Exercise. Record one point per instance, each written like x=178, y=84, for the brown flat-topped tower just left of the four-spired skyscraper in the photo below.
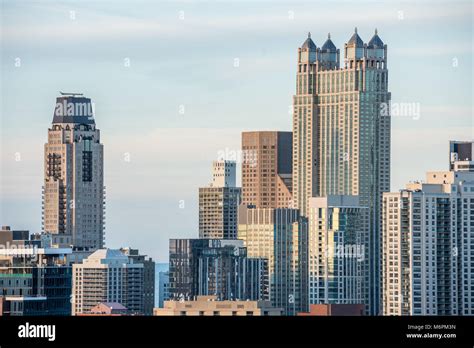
x=266, y=169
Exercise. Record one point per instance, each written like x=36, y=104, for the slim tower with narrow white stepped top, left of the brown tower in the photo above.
x=218, y=203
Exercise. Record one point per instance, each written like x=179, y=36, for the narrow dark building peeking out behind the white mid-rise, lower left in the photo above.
x=148, y=278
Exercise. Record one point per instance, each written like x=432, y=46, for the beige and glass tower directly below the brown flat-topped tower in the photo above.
x=280, y=236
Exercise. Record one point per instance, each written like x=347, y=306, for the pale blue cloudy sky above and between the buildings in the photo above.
x=174, y=84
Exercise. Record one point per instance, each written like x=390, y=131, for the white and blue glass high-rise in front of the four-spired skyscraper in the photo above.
x=338, y=247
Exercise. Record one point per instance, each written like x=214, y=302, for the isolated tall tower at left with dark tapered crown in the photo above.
x=73, y=191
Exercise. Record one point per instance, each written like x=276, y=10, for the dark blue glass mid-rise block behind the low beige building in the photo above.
x=215, y=267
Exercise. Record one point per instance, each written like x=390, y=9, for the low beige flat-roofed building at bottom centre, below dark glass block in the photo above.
x=210, y=306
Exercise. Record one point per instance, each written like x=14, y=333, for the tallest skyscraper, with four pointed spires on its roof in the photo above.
x=341, y=140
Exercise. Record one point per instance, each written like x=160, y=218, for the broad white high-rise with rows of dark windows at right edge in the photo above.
x=428, y=246
